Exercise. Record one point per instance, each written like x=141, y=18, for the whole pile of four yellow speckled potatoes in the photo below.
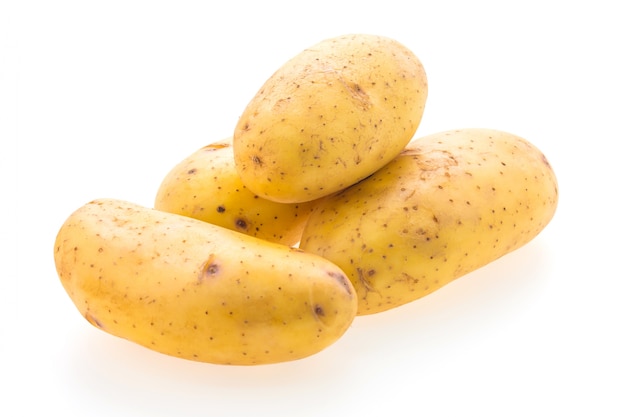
x=321, y=206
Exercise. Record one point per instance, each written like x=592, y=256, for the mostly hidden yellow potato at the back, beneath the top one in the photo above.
x=207, y=187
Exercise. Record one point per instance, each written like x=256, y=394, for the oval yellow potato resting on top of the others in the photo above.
x=329, y=117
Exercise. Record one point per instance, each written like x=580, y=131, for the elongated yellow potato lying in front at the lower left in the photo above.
x=197, y=291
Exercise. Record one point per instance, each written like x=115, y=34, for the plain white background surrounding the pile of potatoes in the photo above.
x=101, y=98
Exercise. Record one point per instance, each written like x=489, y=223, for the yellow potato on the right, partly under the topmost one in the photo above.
x=451, y=203
